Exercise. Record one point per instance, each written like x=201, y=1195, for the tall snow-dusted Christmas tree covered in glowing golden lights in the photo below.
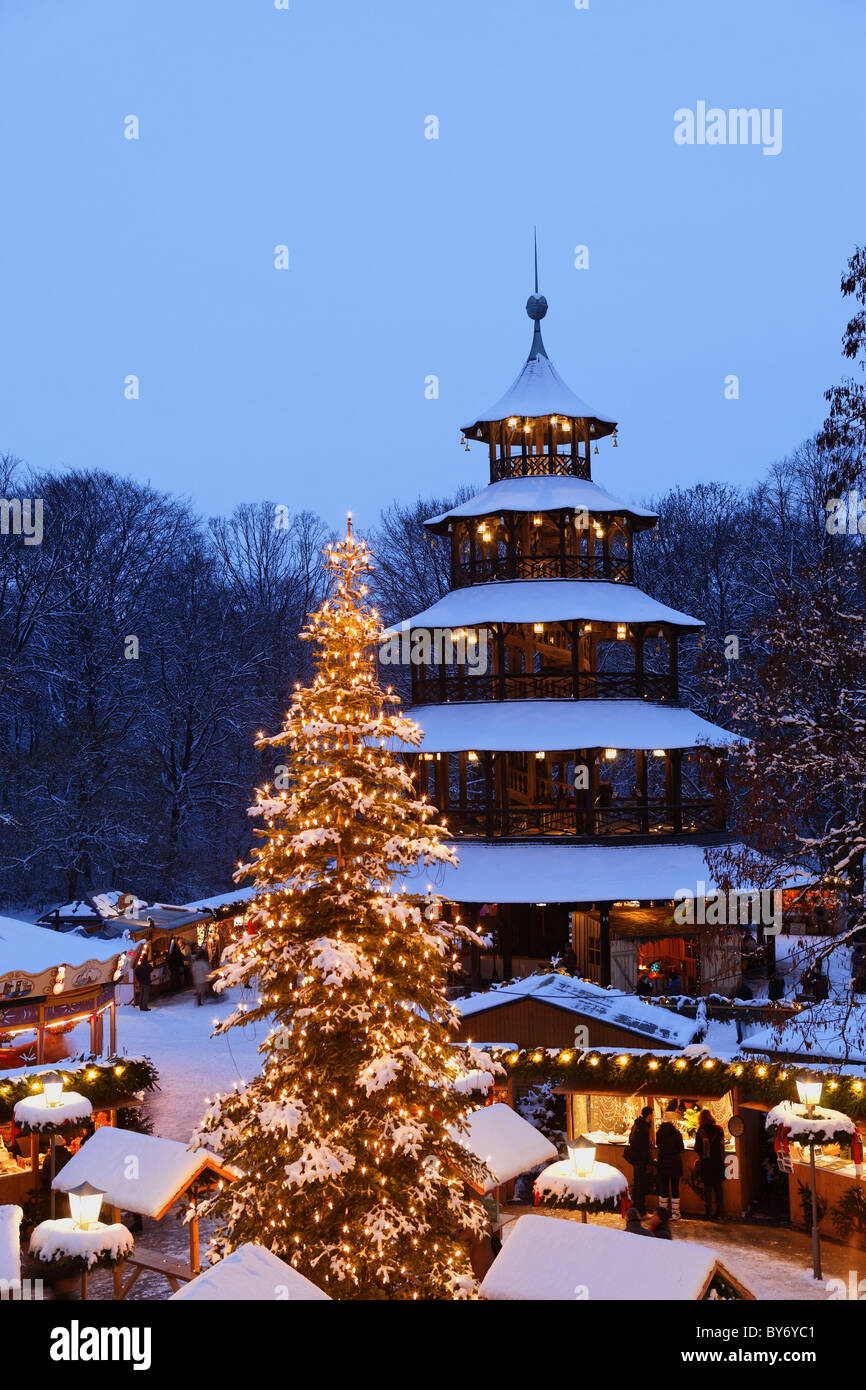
x=350, y=1139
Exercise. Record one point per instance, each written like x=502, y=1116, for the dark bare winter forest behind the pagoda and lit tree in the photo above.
x=142, y=648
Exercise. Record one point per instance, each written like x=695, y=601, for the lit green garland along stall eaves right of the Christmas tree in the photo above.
x=678, y=1075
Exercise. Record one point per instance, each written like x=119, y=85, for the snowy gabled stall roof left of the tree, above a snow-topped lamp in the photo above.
x=163, y=1170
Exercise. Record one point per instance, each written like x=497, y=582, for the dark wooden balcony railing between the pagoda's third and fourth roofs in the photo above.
x=451, y=687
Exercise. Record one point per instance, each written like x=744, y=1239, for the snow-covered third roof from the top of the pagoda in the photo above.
x=548, y=601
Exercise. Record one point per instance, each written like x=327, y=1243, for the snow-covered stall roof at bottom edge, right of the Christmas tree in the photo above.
x=550, y=1259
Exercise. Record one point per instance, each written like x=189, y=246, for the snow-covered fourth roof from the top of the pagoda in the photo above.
x=533, y=725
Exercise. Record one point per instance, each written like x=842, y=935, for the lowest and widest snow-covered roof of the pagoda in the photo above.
x=565, y=874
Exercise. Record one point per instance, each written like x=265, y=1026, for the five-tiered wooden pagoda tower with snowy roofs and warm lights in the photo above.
x=555, y=742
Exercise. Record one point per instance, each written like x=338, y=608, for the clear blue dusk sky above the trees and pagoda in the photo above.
x=412, y=256
